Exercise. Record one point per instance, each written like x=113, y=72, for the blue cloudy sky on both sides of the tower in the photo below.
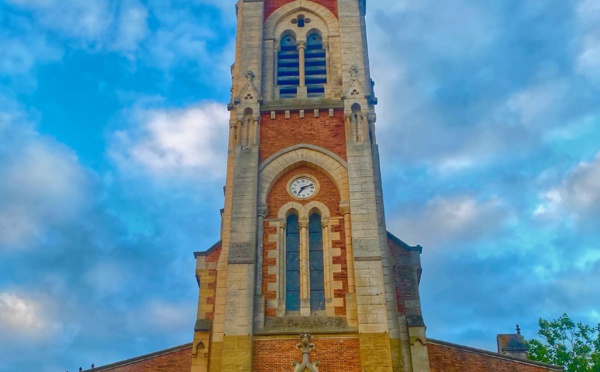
x=112, y=160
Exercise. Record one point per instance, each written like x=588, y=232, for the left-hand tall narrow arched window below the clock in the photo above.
x=292, y=264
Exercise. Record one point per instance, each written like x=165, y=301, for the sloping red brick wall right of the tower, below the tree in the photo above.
x=448, y=359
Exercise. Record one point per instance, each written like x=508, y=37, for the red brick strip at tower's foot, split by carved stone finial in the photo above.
x=335, y=355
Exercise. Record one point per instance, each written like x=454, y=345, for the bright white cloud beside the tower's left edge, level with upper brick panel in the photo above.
x=183, y=142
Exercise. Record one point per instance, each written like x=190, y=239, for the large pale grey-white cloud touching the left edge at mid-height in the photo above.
x=42, y=184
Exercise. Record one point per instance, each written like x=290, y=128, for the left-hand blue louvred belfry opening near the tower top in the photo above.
x=288, y=67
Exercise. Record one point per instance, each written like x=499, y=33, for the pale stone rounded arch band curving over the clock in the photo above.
x=330, y=164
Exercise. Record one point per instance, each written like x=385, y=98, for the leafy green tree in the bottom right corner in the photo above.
x=562, y=342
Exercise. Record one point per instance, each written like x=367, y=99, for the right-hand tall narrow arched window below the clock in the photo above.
x=317, y=286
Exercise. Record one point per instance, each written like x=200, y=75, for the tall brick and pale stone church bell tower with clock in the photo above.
x=305, y=276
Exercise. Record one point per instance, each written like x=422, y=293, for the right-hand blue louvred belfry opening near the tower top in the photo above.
x=315, y=66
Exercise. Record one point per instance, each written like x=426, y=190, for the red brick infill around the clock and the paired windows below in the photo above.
x=328, y=195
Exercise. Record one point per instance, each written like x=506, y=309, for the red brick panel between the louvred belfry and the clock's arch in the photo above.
x=324, y=131
